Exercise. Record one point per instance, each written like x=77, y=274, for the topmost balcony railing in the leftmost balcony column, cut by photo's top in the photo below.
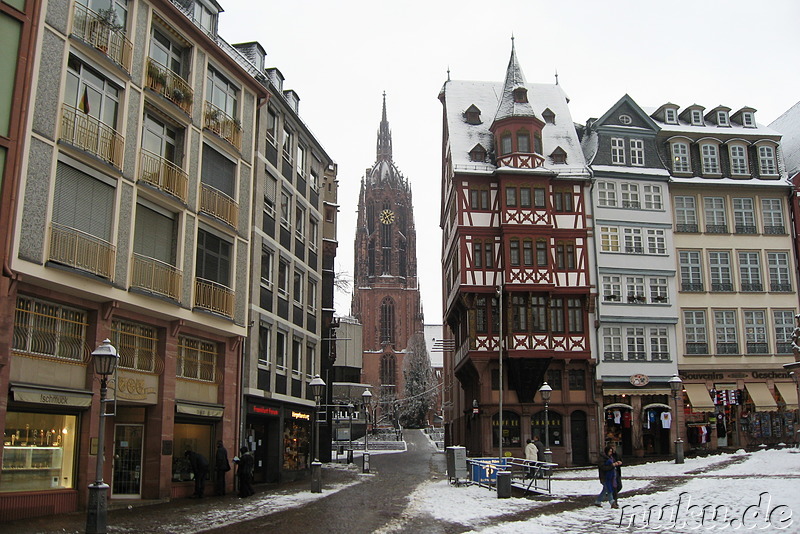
x=103, y=34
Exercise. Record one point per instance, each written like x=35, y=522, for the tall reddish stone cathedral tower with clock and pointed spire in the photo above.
x=386, y=298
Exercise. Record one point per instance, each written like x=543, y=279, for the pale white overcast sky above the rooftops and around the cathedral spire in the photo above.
x=340, y=56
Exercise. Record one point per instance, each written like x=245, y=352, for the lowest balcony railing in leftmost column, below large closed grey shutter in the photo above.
x=80, y=250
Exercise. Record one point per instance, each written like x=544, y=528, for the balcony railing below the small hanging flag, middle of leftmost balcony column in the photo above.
x=91, y=135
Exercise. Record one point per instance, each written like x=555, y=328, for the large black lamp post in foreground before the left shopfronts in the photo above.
x=105, y=360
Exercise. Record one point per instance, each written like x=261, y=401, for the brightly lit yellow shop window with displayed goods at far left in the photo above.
x=38, y=451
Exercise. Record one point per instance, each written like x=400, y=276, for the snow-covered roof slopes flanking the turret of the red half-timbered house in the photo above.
x=459, y=95
